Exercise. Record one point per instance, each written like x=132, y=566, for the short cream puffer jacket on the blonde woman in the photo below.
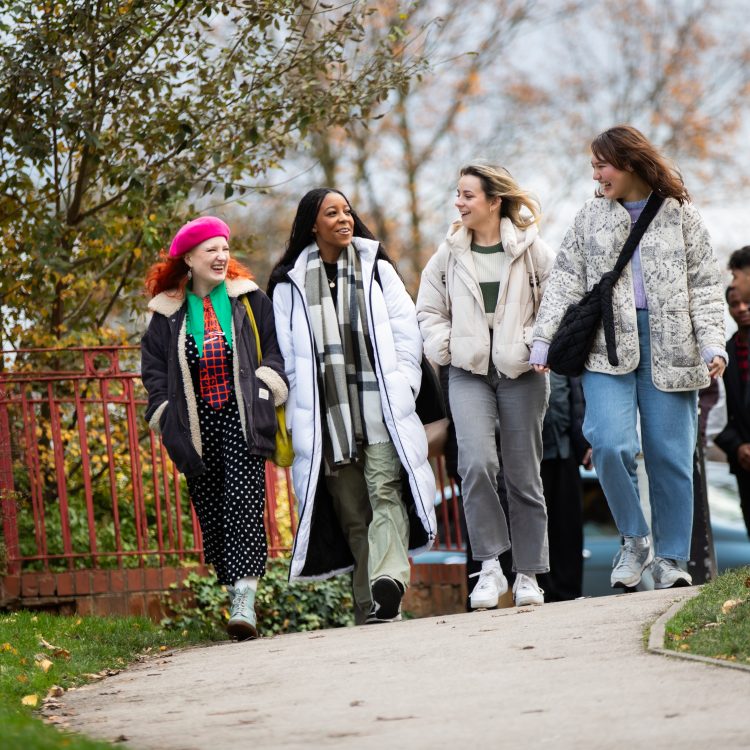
x=450, y=307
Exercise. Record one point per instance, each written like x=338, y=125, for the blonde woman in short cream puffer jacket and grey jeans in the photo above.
x=476, y=308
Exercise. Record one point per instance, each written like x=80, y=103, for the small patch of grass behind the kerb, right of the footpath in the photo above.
x=715, y=623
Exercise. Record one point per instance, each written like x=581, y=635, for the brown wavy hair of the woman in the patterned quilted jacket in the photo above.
x=627, y=149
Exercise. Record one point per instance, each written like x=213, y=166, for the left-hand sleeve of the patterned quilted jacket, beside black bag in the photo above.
x=566, y=283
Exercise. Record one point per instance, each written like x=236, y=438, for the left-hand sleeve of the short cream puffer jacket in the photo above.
x=432, y=310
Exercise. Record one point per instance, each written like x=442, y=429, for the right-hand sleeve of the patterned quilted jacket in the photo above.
x=705, y=293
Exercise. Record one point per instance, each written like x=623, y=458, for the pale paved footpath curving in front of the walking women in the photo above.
x=568, y=675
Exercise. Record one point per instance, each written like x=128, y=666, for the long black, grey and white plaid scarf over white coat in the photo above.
x=354, y=415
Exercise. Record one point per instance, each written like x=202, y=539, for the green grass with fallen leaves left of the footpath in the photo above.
x=83, y=646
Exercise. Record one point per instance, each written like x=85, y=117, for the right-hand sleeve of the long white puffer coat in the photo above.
x=403, y=319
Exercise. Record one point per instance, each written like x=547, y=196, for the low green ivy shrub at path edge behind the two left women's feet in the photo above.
x=281, y=607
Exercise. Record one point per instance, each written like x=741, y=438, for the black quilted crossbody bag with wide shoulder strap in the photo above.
x=570, y=346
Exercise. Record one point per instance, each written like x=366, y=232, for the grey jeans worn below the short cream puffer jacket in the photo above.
x=519, y=404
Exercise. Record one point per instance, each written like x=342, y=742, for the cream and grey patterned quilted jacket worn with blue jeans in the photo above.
x=682, y=282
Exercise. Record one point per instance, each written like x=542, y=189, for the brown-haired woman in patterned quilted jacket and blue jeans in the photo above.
x=669, y=332
